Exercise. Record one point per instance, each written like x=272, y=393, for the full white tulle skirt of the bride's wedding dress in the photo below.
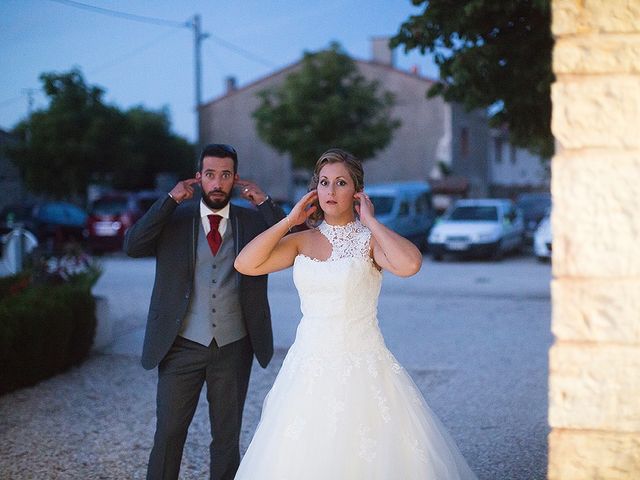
x=338, y=414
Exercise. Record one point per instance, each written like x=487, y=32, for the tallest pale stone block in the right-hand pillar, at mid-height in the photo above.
x=595, y=219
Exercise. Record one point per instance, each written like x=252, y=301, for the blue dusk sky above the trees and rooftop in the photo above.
x=140, y=63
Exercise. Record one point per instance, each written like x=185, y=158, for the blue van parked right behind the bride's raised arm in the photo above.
x=404, y=207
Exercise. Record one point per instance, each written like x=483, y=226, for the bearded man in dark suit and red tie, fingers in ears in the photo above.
x=206, y=320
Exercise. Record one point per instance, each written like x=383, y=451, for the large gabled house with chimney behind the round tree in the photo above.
x=433, y=132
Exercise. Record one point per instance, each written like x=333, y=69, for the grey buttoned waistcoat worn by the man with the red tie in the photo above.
x=214, y=309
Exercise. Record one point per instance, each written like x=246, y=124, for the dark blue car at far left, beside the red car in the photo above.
x=53, y=223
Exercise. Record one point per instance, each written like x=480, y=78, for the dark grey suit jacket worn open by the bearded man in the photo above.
x=169, y=233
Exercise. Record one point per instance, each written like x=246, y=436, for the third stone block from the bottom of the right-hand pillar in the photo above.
x=596, y=310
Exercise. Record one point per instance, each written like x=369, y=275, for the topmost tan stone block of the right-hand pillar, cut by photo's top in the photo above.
x=586, y=16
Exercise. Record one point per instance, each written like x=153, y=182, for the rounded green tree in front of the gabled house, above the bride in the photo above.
x=326, y=103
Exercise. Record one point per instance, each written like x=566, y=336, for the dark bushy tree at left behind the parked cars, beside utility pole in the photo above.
x=78, y=138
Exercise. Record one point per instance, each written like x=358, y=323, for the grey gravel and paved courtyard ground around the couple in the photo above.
x=473, y=335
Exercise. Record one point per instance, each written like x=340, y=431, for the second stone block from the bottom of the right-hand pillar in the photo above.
x=594, y=386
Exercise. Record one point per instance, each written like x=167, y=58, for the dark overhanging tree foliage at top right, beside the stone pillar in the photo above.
x=494, y=55
